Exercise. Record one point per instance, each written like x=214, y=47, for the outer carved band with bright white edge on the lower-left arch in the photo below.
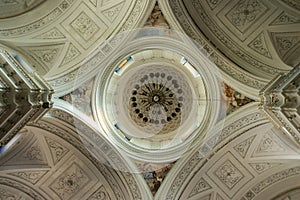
x=134, y=183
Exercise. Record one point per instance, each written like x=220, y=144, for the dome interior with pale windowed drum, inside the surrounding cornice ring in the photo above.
x=153, y=100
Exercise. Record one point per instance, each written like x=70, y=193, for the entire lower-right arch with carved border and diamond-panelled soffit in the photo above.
x=246, y=136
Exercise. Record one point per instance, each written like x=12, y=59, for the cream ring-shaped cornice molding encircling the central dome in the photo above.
x=164, y=40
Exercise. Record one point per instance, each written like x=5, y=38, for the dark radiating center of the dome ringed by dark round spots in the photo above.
x=156, y=99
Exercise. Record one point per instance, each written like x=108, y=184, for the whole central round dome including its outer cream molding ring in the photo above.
x=156, y=94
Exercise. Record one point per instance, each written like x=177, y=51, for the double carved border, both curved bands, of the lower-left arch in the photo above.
x=54, y=123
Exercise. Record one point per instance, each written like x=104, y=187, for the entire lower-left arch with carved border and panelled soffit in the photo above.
x=69, y=143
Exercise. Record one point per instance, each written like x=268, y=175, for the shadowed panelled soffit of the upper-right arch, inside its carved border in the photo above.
x=241, y=31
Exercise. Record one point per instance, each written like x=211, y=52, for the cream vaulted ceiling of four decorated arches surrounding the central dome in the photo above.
x=66, y=155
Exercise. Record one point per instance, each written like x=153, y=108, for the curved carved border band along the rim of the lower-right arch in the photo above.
x=246, y=118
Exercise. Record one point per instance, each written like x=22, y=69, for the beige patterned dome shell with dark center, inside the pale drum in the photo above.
x=157, y=100
